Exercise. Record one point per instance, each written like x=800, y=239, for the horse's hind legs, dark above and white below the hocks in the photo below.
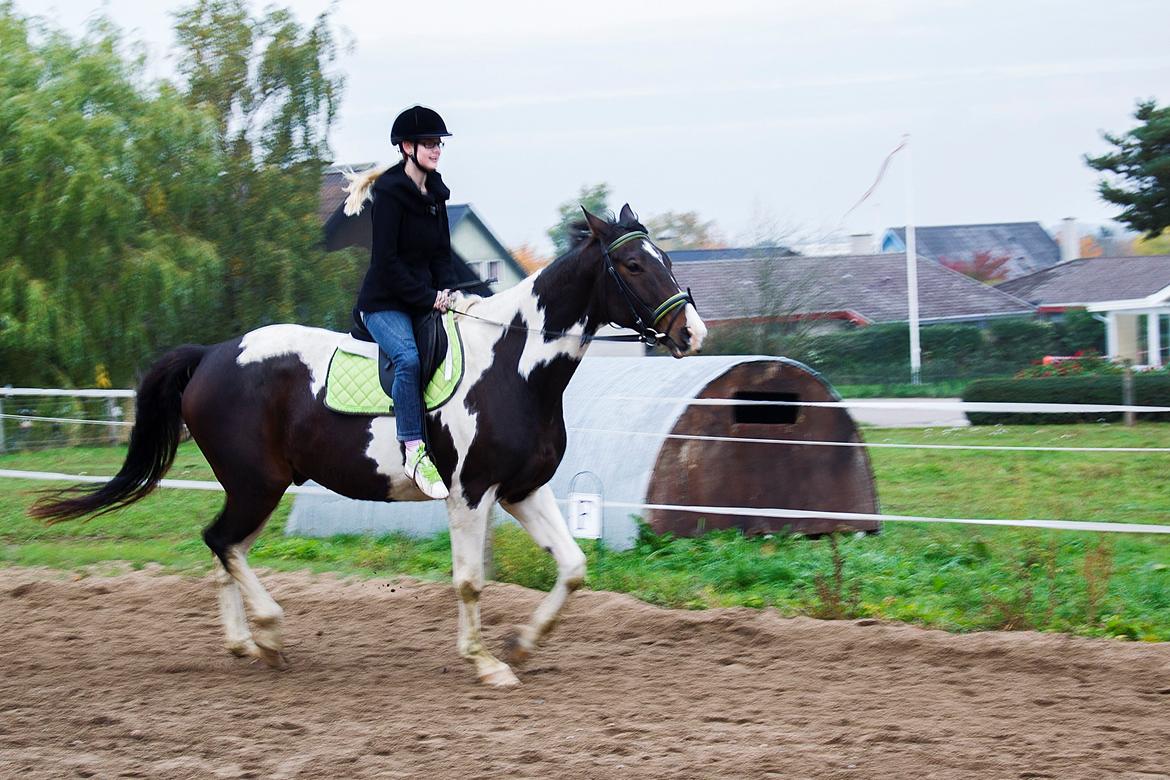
x=230, y=537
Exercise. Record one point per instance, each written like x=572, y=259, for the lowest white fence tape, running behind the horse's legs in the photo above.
x=749, y=512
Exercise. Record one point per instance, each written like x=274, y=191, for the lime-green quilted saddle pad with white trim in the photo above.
x=353, y=386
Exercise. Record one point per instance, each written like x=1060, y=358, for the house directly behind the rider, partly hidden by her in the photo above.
x=478, y=253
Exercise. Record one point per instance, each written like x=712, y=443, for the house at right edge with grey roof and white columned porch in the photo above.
x=1132, y=294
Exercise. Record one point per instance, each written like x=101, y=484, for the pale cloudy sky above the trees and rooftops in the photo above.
x=768, y=118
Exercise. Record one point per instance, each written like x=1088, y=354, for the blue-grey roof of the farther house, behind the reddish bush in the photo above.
x=1028, y=244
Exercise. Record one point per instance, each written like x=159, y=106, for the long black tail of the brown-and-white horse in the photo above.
x=154, y=441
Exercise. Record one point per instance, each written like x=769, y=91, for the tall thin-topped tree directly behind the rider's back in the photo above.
x=267, y=82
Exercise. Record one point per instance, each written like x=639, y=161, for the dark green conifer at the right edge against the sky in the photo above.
x=1141, y=171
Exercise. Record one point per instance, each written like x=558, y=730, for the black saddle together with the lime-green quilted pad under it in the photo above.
x=361, y=376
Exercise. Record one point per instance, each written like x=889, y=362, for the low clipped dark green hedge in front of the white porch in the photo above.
x=1150, y=390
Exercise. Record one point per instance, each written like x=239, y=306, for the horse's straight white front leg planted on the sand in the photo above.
x=469, y=529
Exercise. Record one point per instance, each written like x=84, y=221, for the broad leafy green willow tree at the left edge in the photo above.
x=102, y=185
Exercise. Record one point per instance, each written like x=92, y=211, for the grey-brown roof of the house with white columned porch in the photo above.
x=1090, y=280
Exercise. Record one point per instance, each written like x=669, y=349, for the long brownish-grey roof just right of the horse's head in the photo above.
x=869, y=288
